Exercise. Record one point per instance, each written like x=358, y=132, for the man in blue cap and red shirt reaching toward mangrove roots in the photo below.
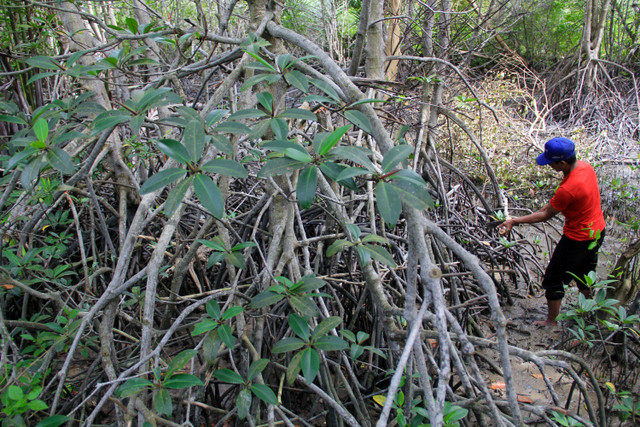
x=578, y=198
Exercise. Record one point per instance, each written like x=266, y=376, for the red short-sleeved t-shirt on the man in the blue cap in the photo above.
x=578, y=198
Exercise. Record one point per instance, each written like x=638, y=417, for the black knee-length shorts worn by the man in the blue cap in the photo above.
x=570, y=256
